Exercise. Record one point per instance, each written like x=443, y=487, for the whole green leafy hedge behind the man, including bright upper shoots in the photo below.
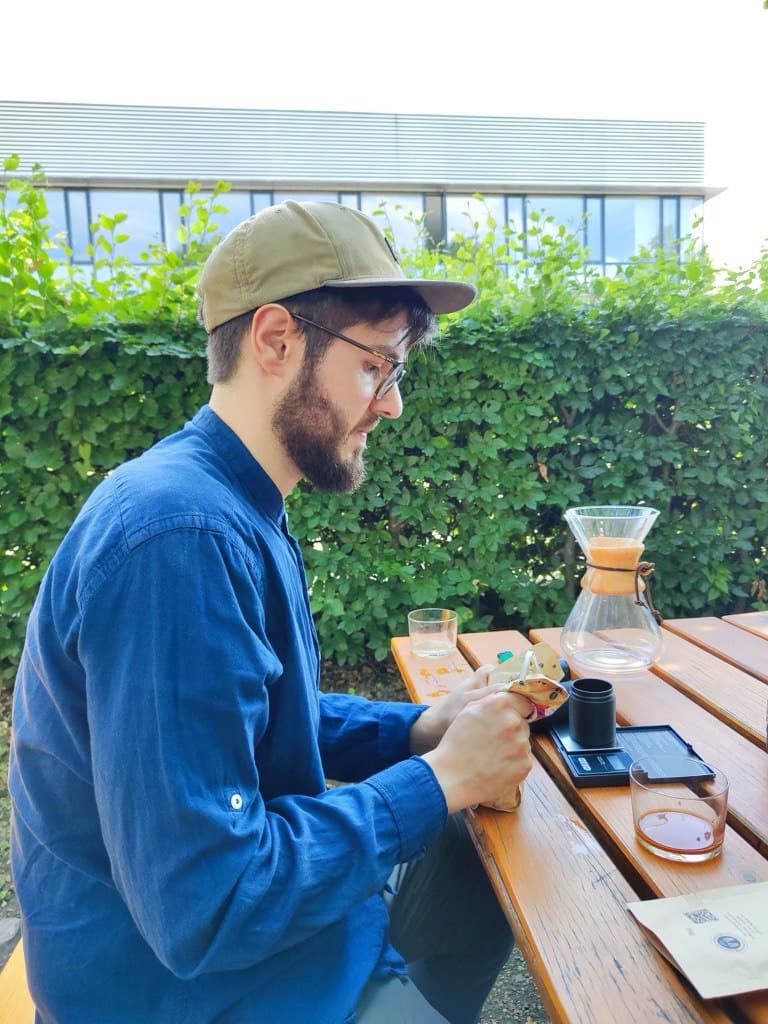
x=558, y=388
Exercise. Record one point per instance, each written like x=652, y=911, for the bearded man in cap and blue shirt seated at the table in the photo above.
x=177, y=852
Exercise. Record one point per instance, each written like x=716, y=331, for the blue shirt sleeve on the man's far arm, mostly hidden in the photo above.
x=360, y=737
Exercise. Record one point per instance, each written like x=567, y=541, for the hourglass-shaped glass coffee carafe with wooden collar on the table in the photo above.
x=614, y=625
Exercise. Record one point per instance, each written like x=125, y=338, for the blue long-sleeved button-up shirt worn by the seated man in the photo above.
x=177, y=855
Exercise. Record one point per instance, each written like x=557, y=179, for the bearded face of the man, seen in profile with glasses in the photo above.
x=324, y=419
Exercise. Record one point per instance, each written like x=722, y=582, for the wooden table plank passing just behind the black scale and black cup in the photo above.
x=644, y=699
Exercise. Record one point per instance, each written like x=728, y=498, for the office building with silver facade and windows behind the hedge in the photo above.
x=620, y=186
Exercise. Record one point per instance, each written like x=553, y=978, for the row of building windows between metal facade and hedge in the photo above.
x=613, y=229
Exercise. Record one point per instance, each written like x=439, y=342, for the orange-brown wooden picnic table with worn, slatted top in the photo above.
x=566, y=865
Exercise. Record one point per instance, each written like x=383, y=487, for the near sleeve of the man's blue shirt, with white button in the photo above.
x=178, y=672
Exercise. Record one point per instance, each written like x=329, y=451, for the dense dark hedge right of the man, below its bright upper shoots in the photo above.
x=515, y=424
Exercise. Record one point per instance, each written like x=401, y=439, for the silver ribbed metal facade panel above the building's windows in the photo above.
x=156, y=145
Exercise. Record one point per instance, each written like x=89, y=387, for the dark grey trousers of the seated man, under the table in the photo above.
x=447, y=925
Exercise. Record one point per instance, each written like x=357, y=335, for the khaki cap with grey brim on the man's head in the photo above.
x=296, y=247
